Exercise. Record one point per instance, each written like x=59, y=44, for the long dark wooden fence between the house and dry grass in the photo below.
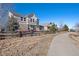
x=18, y=34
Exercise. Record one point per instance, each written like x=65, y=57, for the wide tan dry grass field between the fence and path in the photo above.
x=36, y=45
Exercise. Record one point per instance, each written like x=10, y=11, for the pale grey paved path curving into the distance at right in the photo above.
x=62, y=45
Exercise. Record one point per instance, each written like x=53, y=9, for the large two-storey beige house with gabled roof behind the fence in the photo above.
x=26, y=23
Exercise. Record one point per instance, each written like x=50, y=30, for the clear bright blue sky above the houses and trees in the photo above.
x=51, y=12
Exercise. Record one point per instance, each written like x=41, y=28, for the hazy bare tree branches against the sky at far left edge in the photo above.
x=4, y=8
